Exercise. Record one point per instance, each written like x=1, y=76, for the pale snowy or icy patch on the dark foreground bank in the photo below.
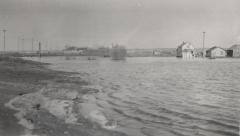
x=60, y=103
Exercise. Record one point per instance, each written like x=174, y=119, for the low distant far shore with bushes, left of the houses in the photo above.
x=116, y=51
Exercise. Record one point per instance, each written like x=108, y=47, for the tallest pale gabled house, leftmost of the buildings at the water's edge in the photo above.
x=185, y=50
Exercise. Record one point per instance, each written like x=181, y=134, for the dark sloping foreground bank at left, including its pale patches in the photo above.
x=41, y=102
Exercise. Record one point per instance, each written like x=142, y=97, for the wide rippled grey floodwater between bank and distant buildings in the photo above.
x=164, y=96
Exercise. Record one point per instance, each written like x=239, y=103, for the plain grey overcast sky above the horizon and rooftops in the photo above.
x=134, y=23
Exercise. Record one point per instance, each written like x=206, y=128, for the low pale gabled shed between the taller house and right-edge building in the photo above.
x=216, y=52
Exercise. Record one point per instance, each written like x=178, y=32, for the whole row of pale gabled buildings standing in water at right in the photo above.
x=186, y=50
